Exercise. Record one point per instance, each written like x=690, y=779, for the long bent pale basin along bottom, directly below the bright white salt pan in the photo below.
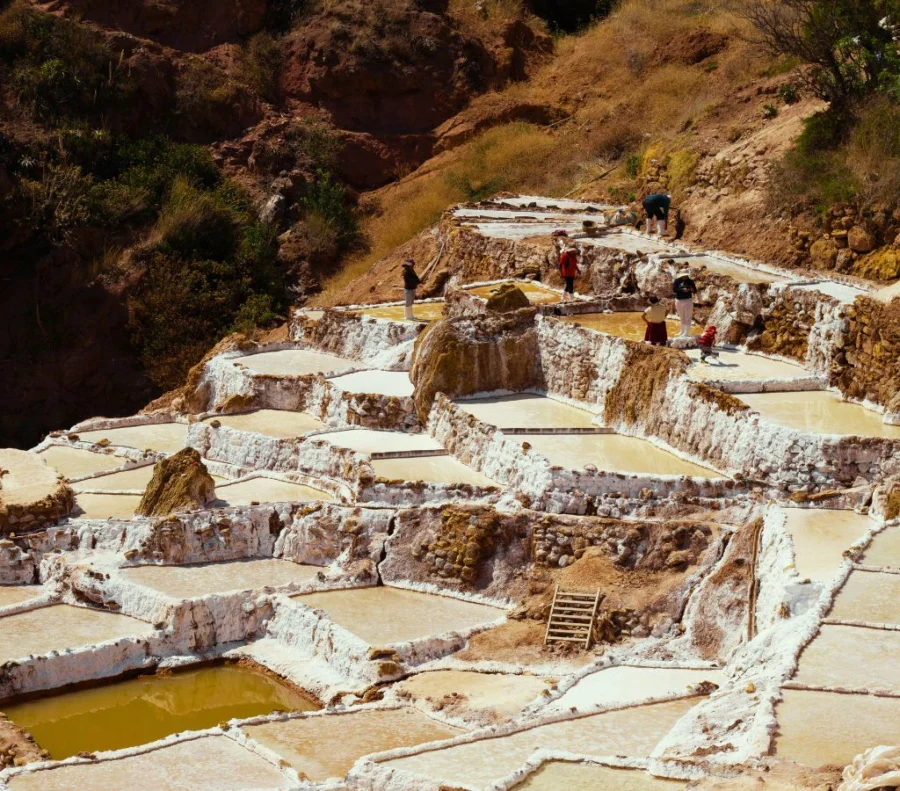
x=632, y=732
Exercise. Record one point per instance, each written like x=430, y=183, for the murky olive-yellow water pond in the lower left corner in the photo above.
x=144, y=709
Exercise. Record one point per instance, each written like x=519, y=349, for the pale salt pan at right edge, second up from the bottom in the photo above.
x=852, y=657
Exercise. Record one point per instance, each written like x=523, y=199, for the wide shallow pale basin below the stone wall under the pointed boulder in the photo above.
x=189, y=582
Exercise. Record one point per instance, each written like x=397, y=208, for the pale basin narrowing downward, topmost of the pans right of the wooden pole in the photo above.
x=820, y=538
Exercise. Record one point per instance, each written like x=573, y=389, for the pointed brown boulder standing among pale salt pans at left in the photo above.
x=180, y=483
